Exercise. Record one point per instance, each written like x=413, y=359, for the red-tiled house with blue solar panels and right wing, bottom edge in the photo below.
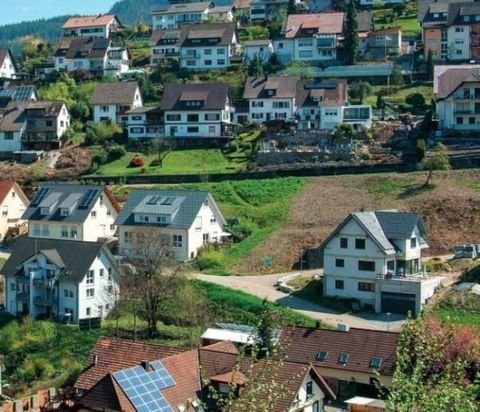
x=107, y=383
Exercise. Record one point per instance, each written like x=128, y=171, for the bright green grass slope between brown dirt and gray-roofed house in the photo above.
x=254, y=209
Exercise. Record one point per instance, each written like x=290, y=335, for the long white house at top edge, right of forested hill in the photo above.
x=175, y=14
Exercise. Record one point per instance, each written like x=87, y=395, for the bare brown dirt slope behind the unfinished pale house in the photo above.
x=451, y=211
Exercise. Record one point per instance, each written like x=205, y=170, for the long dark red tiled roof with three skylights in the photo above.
x=302, y=345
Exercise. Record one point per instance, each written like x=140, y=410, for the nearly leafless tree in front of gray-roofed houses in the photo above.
x=155, y=276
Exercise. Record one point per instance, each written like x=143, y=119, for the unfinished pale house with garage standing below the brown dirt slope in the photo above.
x=376, y=257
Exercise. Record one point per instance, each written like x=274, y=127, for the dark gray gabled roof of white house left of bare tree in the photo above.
x=74, y=257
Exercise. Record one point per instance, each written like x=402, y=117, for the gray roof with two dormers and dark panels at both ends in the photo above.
x=79, y=199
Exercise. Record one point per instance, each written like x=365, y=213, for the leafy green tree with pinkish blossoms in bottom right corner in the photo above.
x=436, y=368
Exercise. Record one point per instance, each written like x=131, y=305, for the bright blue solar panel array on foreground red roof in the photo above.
x=143, y=388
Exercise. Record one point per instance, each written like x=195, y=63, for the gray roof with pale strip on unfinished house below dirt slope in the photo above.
x=383, y=226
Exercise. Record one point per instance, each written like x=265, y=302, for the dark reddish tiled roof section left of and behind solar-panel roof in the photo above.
x=115, y=354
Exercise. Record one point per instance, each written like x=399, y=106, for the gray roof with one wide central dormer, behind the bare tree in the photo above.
x=184, y=207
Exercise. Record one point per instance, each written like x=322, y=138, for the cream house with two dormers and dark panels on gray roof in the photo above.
x=68, y=211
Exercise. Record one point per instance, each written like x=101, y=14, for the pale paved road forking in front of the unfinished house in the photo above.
x=263, y=287
